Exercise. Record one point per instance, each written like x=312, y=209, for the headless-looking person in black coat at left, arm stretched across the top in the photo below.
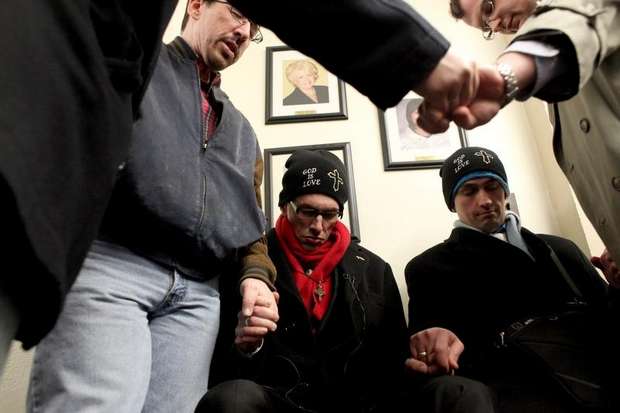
x=72, y=81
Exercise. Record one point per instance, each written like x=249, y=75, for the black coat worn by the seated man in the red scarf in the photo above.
x=356, y=359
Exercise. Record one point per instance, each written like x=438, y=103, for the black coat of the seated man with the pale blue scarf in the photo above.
x=477, y=285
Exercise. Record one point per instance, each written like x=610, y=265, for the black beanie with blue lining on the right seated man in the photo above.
x=470, y=163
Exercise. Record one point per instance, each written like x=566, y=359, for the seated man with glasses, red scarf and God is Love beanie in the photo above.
x=341, y=341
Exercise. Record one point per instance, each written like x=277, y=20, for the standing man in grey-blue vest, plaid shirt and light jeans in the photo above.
x=145, y=307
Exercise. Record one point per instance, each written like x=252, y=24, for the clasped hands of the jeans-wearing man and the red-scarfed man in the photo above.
x=258, y=315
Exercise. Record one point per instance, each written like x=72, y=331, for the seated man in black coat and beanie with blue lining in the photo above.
x=490, y=273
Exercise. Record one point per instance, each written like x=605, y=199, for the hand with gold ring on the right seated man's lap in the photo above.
x=434, y=351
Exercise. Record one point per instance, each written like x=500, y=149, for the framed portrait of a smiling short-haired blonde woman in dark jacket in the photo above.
x=324, y=97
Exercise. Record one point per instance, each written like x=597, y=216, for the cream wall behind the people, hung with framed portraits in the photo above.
x=401, y=213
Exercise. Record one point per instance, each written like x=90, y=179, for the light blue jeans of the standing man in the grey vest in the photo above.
x=133, y=336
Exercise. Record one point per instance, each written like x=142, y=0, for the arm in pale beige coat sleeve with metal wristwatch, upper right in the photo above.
x=584, y=33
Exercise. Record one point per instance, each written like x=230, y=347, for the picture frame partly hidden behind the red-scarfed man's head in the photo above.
x=275, y=159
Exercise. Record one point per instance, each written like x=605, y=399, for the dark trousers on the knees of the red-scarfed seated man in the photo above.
x=445, y=394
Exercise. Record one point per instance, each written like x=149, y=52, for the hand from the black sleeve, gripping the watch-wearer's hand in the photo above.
x=453, y=83
